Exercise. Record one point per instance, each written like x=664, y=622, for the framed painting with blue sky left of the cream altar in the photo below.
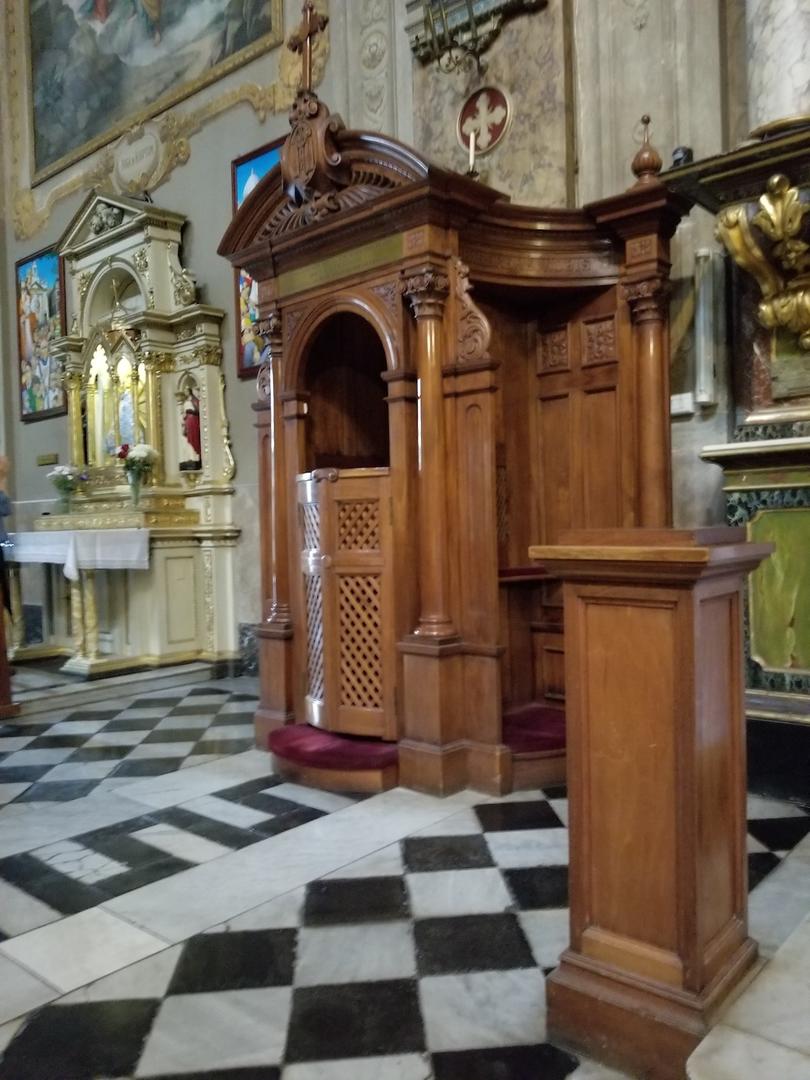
x=40, y=293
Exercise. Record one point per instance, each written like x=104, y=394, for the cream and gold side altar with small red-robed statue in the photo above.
x=143, y=366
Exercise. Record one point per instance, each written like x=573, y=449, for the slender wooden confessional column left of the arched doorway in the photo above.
x=275, y=633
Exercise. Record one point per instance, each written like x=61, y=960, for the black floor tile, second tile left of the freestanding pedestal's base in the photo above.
x=355, y=1020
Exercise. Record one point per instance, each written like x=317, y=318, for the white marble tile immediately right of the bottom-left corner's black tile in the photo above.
x=210, y=1032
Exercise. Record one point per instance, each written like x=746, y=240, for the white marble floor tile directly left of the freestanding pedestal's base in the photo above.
x=487, y=1009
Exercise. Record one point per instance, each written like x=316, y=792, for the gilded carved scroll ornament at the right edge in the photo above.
x=782, y=269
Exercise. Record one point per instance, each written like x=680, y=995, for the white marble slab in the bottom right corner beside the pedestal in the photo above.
x=728, y=1055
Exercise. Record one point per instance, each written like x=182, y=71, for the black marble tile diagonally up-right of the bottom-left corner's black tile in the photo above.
x=241, y=961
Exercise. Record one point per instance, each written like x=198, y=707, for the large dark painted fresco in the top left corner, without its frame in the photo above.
x=99, y=66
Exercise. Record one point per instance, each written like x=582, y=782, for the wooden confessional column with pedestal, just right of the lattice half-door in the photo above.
x=433, y=754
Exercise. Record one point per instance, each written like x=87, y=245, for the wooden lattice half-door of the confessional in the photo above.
x=348, y=574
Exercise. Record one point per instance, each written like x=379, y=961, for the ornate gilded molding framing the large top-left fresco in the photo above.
x=143, y=157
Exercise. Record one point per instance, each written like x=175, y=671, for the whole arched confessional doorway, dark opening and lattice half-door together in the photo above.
x=345, y=549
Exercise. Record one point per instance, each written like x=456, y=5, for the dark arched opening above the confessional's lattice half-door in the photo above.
x=347, y=421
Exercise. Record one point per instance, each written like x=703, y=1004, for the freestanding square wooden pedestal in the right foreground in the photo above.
x=657, y=791
